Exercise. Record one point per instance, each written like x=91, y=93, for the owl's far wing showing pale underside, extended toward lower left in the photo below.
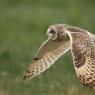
x=49, y=52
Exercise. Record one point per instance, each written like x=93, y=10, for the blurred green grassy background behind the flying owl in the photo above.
x=23, y=25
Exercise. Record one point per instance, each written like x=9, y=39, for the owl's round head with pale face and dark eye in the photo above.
x=56, y=32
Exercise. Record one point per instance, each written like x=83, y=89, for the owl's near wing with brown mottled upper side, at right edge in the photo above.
x=83, y=52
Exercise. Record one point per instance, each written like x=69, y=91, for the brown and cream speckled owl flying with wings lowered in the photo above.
x=60, y=39
